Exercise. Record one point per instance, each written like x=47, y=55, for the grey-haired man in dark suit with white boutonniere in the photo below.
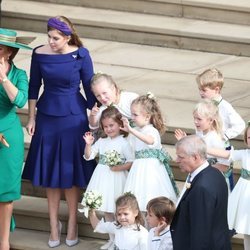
x=200, y=221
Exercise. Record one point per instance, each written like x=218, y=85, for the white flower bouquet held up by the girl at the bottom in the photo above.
x=91, y=200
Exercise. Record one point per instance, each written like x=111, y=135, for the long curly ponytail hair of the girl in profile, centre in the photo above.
x=149, y=104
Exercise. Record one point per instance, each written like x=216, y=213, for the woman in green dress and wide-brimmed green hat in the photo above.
x=13, y=93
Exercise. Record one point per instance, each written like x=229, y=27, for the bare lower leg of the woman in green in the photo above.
x=6, y=209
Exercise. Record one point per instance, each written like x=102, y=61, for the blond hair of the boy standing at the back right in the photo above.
x=210, y=78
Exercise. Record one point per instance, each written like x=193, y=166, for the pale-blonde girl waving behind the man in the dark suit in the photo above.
x=209, y=126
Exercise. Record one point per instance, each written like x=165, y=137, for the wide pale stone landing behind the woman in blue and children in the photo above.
x=168, y=73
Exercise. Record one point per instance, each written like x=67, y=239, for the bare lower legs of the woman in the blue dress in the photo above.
x=54, y=196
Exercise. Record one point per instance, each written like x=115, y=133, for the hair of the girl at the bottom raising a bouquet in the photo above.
x=128, y=200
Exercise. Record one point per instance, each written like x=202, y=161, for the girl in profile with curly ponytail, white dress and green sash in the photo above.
x=150, y=175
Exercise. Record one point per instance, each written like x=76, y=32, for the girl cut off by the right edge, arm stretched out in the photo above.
x=238, y=203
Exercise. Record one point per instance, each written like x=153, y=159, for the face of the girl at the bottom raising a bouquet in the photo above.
x=126, y=216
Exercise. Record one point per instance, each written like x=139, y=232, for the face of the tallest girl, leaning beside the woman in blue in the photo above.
x=105, y=93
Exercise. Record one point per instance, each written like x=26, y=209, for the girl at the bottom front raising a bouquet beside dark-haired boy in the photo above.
x=128, y=231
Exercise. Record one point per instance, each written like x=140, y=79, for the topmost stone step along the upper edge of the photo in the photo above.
x=228, y=11
